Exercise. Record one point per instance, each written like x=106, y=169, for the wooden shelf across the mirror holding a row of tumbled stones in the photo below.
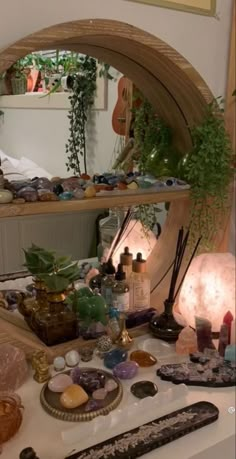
x=123, y=199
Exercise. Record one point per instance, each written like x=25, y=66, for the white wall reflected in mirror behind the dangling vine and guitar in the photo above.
x=41, y=135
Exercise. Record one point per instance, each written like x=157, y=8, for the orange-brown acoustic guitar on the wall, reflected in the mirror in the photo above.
x=120, y=111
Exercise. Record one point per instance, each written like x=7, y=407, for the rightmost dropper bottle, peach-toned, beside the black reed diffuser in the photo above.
x=140, y=285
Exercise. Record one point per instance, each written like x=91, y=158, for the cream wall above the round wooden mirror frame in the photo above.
x=202, y=40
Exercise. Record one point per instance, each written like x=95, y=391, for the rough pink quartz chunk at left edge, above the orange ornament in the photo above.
x=13, y=367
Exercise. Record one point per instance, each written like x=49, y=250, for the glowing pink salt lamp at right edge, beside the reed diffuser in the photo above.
x=208, y=289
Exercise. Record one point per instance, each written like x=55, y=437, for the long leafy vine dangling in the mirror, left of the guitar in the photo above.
x=81, y=101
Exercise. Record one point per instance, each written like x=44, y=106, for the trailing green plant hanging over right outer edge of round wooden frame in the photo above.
x=208, y=169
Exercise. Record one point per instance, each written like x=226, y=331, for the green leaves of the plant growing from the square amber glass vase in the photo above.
x=57, y=273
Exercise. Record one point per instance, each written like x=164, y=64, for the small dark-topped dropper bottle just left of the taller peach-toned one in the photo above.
x=120, y=290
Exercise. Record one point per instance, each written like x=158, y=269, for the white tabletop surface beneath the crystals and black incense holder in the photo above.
x=51, y=438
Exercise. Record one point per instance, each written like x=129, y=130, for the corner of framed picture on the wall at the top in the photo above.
x=207, y=7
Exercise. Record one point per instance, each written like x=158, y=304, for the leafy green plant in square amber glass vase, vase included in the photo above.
x=54, y=323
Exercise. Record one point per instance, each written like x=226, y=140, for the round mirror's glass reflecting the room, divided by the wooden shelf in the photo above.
x=70, y=125
